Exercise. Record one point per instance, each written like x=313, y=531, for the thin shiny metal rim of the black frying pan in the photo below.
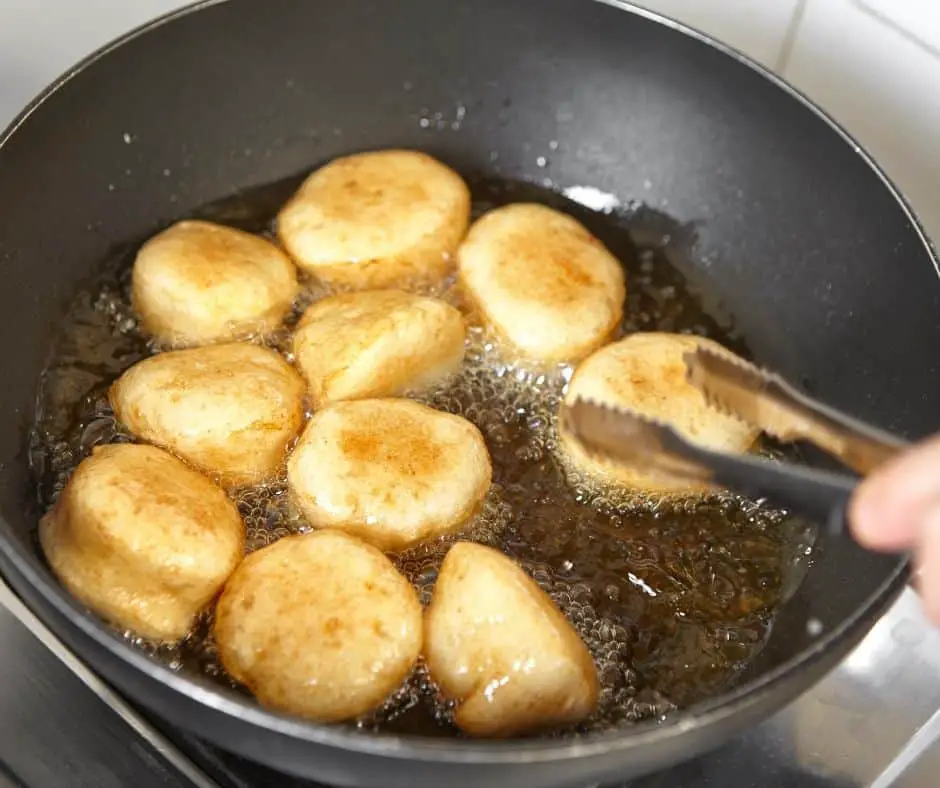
x=704, y=714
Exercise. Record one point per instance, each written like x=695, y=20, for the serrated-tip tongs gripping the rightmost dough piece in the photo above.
x=766, y=402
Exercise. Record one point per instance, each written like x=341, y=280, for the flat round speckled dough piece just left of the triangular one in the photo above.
x=319, y=625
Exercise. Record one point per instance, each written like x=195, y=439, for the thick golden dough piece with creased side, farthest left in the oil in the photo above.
x=142, y=540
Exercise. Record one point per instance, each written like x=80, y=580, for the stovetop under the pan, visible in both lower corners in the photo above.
x=874, y=722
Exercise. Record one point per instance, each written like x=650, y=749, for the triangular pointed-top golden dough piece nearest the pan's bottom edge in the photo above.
x=497, y=644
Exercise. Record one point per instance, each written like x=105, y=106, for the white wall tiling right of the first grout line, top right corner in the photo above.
x=881, y=80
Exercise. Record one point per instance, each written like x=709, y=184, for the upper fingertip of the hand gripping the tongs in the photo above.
x=890, y=508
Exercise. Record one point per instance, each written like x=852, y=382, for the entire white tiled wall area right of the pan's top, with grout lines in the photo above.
x=874, y=65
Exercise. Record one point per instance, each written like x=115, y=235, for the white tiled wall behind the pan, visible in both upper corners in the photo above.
x=873, y=64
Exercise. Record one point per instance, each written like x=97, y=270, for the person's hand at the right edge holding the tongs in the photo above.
x=897, y=508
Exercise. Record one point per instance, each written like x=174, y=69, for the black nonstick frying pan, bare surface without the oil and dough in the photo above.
x=825, y=268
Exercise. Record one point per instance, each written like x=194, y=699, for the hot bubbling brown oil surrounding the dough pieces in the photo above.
x=673, y=600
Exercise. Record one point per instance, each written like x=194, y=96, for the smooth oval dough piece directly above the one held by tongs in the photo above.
x=542, y=282
